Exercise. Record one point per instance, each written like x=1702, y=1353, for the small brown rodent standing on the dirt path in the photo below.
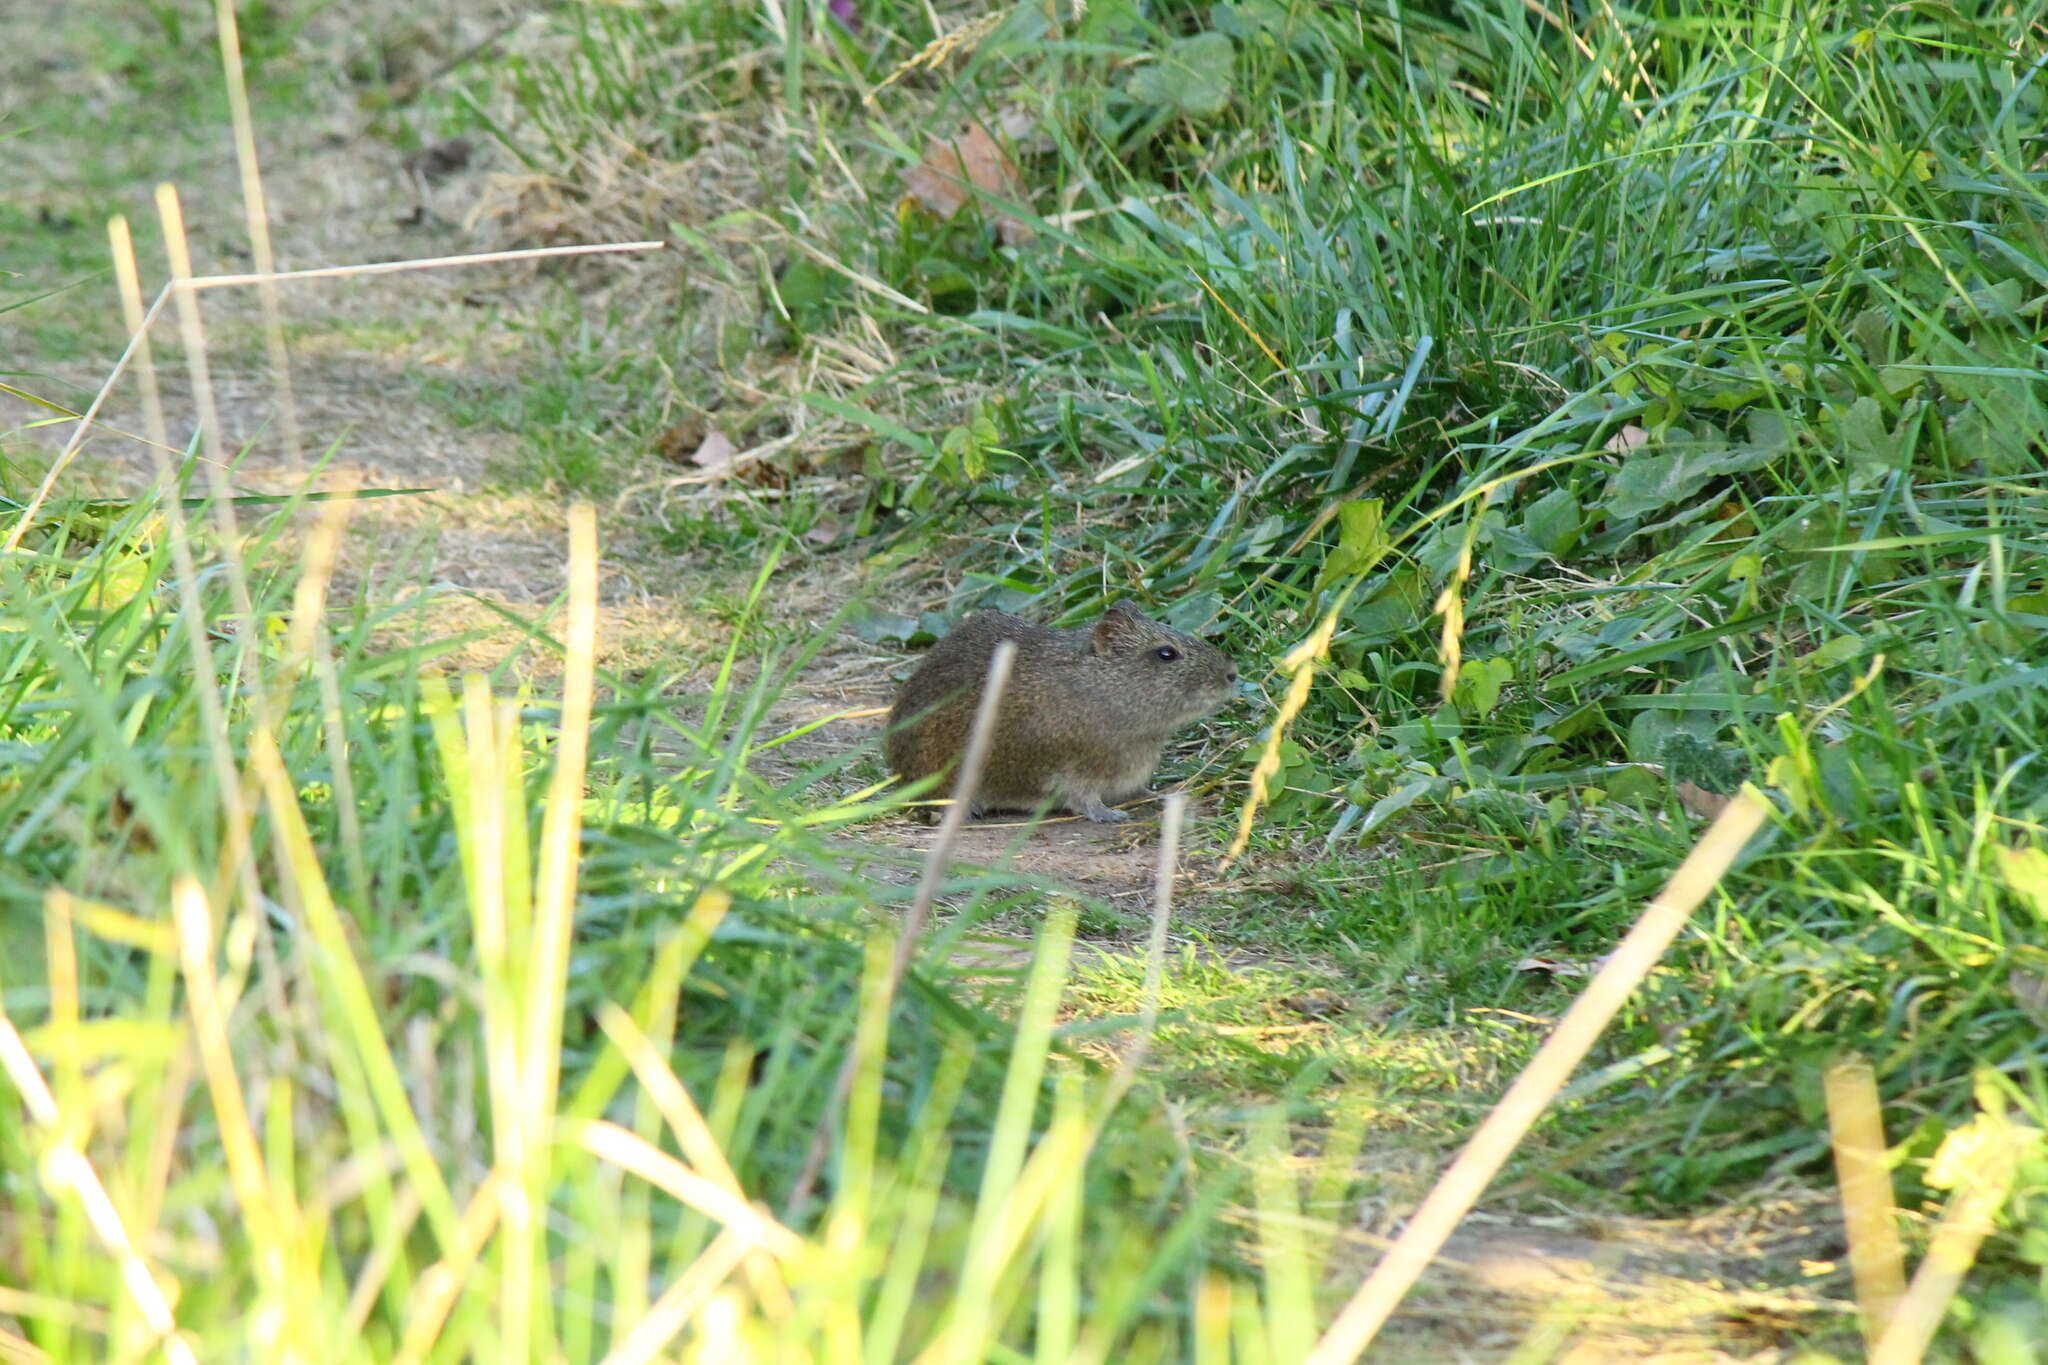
x=1084, y=717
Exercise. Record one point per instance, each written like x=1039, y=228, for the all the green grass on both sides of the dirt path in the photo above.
x=1697, y=355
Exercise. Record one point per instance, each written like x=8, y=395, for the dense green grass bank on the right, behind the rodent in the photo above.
x=1709, y=337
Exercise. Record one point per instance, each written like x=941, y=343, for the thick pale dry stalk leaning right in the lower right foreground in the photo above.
x=1547, y=1073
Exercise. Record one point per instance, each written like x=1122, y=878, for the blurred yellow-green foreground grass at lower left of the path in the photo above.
x=411, y=832
